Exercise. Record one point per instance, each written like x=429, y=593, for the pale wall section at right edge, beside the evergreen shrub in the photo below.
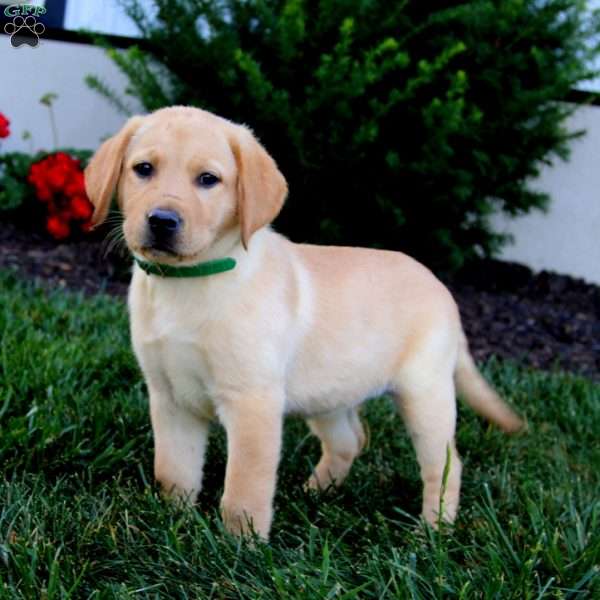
x=567, y=238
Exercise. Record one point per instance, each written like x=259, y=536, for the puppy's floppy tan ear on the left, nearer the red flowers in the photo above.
x=104, y=169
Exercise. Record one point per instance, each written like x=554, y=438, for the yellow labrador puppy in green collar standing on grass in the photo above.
x=233, y=321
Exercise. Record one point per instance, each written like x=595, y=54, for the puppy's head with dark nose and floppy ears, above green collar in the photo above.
x=184, y=178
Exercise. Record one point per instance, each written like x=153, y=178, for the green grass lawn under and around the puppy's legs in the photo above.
x=81, y=518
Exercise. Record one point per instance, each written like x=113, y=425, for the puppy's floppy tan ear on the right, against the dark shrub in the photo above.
x=261, y=187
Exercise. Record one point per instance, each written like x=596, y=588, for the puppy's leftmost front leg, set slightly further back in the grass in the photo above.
x=179, y=446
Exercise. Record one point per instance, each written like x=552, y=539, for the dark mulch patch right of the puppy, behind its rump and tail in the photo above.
x=544, y=320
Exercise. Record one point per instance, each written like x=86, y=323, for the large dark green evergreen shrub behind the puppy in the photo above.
x=402, y=125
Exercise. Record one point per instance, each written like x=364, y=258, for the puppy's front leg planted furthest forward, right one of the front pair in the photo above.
x=254, y=426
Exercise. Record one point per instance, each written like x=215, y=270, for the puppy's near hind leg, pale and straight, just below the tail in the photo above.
x=428, y=405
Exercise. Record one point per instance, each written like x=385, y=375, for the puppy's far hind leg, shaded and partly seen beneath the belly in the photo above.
x=342, y=439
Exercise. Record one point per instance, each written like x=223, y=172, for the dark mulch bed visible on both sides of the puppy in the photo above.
x=543, y=320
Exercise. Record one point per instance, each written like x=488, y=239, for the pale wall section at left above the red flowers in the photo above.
x=83, y=117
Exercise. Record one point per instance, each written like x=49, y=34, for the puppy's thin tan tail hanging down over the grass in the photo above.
x=478, y=394
